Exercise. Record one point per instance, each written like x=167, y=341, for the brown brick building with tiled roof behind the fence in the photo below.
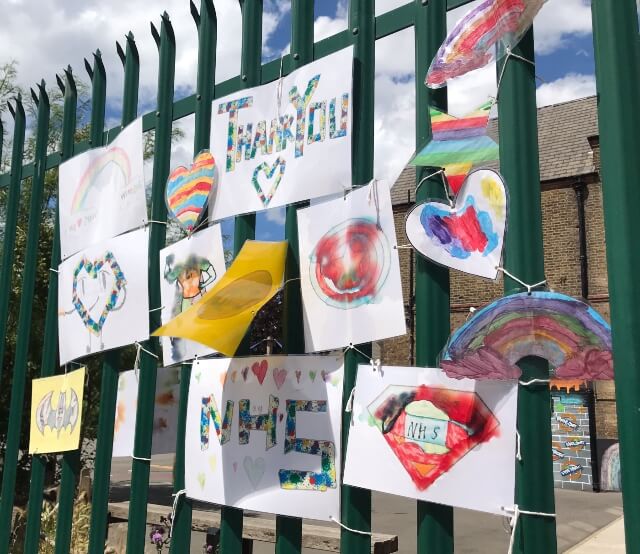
x=575, y=264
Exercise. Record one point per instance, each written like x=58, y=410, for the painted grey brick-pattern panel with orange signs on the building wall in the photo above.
x=571, y=447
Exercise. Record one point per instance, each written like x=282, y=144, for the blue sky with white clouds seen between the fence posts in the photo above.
x=62, y=32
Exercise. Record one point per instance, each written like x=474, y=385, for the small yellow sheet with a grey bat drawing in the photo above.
x=56, y=412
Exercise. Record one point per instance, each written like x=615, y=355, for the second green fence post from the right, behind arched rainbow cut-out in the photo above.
x=524, y=258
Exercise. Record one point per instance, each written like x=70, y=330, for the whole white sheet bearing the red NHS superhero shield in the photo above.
x=482, y=478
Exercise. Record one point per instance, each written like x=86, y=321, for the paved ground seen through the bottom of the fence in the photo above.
x=580, y=515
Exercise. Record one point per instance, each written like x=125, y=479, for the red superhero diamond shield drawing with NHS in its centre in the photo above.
x=430, y=429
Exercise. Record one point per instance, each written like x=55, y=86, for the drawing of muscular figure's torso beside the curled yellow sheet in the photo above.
x=191, y=277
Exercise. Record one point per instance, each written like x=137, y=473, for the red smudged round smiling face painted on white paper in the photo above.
x=350, y=264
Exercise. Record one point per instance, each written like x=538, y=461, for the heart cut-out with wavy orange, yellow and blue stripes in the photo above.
x=188, y=189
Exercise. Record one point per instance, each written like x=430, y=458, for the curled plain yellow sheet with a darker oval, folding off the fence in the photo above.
x=222, y=316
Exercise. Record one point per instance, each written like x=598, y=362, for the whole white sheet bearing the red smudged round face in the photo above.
x=349, y=270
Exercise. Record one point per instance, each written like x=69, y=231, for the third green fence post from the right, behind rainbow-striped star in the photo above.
x=435, y=521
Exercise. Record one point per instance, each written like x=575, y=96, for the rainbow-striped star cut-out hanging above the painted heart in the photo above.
x=457, y=144
